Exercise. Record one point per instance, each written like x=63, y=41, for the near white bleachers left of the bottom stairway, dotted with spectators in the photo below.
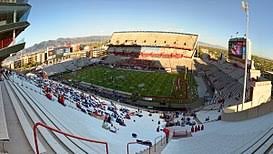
x=32, y=106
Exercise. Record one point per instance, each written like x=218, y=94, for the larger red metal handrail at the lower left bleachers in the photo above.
x=35, y=126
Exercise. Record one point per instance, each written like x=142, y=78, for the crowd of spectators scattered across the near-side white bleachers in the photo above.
x=112, y=116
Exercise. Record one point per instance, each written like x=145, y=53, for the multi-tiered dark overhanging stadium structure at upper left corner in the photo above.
x=13, y=20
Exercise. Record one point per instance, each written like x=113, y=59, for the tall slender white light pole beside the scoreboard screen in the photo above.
x=246, y=10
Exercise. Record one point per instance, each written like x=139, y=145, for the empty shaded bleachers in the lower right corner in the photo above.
x=250, y=136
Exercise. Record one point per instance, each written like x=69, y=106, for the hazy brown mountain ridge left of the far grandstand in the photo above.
x=63, y=41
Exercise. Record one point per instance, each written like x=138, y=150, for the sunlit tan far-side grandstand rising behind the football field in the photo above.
x=171, y=49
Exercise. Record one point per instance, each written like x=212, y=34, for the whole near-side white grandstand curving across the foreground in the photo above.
x=32, y=106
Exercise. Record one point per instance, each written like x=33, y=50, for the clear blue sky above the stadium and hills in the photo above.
x=213, y=20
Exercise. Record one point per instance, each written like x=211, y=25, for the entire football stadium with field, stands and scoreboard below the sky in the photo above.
x=141, y=92
